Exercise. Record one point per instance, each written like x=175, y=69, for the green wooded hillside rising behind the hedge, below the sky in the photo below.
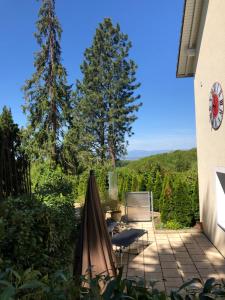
x=179, y=160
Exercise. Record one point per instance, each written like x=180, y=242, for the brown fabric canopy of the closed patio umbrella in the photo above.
x=94, y=253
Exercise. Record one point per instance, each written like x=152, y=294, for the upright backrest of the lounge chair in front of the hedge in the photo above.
x=138, y=206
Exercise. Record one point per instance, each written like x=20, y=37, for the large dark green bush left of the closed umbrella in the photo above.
x=38, y=234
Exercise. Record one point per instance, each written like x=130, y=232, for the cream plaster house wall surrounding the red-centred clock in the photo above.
x=210, y=143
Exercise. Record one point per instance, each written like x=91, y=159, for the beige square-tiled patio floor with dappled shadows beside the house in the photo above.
x=173, y=258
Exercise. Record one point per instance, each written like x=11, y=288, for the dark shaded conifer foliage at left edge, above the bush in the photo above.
x=14, y=167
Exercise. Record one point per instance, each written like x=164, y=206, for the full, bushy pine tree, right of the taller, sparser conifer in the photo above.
x=107, y=103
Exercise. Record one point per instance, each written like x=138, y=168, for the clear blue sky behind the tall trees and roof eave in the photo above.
x=166, y=120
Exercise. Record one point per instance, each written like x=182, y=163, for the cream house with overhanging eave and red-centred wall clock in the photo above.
x=202, y=55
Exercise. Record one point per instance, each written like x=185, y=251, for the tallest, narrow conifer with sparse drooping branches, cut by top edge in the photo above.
x=47, y=93
